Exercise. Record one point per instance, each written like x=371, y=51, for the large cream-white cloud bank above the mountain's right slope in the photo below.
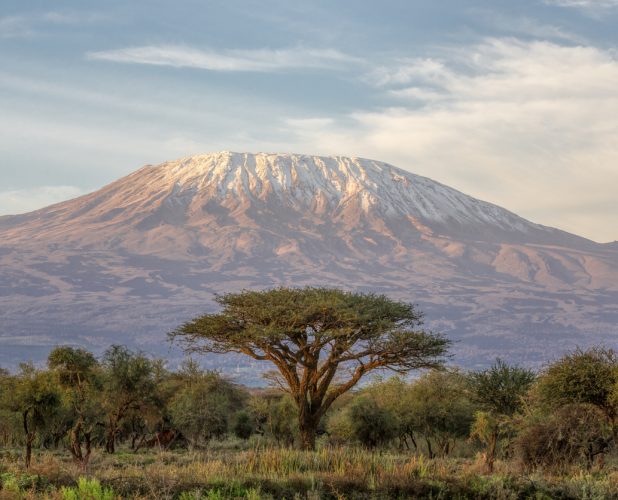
x=527, y=125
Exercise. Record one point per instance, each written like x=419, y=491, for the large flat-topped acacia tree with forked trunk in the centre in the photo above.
x=321, y=341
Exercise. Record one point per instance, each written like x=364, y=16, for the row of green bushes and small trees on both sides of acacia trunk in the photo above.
x=564, y=415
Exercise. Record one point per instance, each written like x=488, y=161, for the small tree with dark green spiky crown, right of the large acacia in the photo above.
x=499, y=391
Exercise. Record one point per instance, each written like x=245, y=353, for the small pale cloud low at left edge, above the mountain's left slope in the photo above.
x=19, y=201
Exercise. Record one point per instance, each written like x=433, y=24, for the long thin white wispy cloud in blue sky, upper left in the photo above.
x=256, y=60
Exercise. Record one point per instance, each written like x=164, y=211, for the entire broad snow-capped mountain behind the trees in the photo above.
x=129, y=262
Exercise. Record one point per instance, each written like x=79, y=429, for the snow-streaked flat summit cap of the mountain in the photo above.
x=334, y=183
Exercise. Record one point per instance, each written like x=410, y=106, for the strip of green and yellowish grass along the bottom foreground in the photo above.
x=283, y=473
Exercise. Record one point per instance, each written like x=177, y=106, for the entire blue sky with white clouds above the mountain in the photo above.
x=515, y=103
